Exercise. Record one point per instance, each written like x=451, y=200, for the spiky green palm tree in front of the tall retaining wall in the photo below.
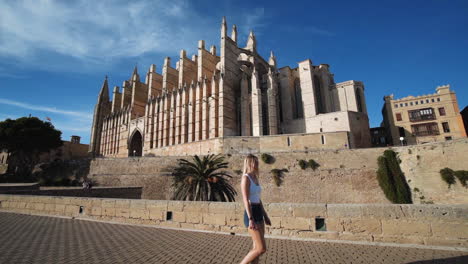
x=203, y=179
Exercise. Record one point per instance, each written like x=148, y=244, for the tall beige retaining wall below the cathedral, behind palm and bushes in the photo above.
x=344, y=175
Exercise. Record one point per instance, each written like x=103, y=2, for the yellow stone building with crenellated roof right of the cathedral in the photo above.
x=423, y=119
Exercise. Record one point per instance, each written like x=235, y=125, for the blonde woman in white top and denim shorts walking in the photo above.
x=255, y=216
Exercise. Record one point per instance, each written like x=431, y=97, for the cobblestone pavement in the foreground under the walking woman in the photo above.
x=40, y=239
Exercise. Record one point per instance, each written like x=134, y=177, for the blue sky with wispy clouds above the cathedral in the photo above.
x=54, y=54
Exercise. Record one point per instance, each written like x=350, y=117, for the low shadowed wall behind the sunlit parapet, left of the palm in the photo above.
x=107, y=192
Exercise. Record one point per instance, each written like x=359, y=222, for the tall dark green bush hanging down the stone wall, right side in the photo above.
x=391, y=179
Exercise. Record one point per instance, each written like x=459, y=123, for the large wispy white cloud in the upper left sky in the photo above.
x=93, y=30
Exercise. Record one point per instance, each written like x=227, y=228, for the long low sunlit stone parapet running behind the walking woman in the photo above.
x=445, y=225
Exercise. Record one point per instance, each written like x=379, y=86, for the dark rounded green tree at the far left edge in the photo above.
x=24, y=139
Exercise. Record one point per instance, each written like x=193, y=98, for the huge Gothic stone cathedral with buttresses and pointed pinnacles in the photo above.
x=234, y=94
